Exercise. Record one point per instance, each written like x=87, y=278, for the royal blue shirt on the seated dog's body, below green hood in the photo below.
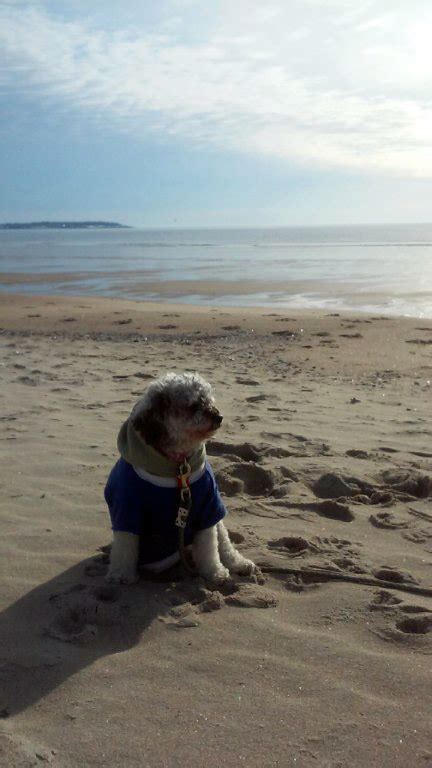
x=138, y=506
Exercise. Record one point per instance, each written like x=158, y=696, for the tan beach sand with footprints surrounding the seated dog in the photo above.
x=324, y=460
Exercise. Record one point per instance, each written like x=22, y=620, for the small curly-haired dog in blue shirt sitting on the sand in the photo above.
x=166, y=431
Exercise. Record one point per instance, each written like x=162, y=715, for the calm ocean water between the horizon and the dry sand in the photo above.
x=385, y=269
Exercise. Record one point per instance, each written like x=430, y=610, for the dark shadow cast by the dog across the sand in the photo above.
x=64, y=625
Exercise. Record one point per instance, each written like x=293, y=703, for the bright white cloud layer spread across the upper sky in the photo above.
x=318, y=84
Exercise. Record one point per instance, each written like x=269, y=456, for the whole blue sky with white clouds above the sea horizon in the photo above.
x=180, y=113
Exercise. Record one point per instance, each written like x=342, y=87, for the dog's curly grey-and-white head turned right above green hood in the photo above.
x=177, y=414
